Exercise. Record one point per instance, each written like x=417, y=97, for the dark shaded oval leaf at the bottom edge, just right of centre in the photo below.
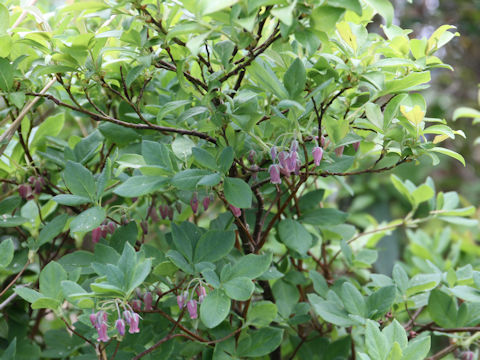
x=260, y=342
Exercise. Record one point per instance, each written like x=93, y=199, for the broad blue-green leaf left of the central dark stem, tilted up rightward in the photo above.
x=214, y=245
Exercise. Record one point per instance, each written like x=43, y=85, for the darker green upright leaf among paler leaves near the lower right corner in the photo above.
x=442, y=309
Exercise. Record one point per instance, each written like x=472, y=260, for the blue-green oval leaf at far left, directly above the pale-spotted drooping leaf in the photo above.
x=79, y=180
